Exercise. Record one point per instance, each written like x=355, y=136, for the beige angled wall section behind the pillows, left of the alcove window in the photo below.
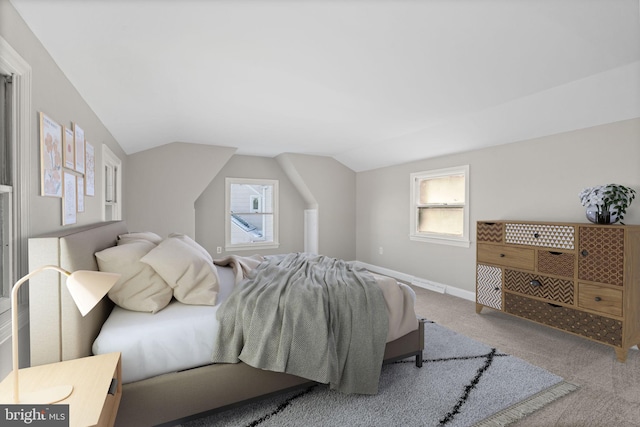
x=165, y=182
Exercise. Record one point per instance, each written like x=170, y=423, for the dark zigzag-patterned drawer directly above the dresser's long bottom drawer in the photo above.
x=549, y=288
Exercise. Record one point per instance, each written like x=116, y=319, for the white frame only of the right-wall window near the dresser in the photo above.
x=446, y=239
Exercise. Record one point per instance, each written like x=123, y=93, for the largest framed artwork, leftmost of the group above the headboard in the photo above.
x=50, y=157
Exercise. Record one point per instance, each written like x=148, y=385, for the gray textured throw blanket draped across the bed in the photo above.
x=312, y=316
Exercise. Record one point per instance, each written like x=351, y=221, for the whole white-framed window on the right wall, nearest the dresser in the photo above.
x=440, y=206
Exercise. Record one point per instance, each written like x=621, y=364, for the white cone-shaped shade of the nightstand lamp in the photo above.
x=88, y=287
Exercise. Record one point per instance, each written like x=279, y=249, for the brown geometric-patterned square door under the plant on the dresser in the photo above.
x=601, y=257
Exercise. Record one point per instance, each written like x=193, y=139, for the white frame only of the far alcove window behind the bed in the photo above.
x=275, y=243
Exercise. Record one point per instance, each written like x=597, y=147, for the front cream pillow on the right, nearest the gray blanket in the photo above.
x=187, y=270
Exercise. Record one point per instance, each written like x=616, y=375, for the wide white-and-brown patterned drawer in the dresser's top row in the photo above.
x=547, y=235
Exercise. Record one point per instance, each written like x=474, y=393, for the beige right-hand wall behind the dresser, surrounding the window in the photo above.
x=531, y=180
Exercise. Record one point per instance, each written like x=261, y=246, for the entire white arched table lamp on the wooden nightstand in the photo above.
x=86, y=288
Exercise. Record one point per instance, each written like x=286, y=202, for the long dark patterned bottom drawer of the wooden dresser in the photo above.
x=589, y=325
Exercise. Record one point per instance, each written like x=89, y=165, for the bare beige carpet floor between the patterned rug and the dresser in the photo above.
x=609, y=393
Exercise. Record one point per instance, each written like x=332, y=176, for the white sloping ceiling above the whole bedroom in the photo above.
x=370, y=83
